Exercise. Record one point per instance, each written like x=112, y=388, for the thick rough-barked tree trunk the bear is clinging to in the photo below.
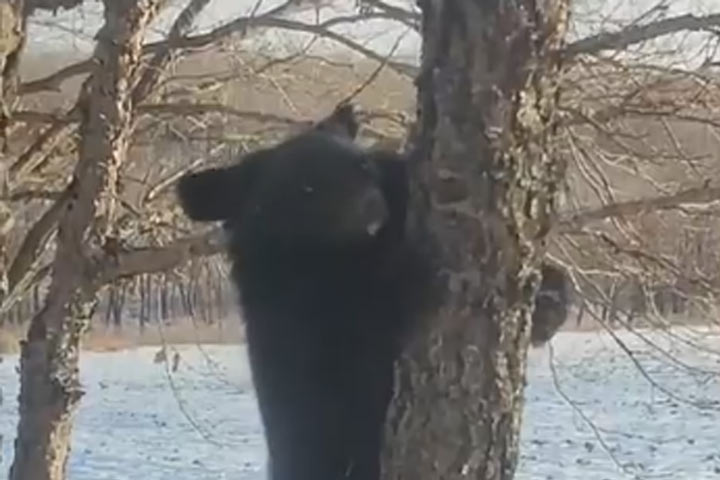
x=483, y=186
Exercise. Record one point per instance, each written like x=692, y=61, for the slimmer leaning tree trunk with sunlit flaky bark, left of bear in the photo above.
x=50, y=387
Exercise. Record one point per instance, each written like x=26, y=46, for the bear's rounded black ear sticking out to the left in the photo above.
x=217, y=193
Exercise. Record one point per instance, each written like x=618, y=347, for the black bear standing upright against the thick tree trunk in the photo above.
x=328, y=282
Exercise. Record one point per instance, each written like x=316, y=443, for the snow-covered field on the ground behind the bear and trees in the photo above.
x=597, y=417
